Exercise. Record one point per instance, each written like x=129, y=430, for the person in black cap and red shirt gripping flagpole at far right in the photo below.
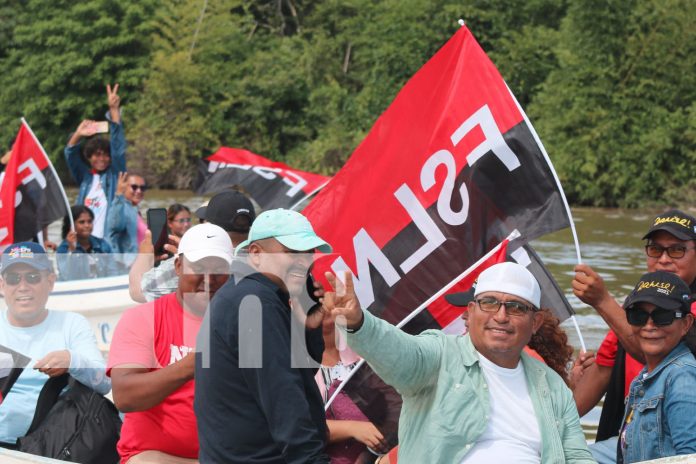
x=670, y=247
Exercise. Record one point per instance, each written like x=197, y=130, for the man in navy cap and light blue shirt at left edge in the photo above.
x=57, y=341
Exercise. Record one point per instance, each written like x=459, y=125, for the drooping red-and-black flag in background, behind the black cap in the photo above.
x=270, y=183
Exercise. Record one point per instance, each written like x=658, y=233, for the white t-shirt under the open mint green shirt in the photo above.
x=513, y=429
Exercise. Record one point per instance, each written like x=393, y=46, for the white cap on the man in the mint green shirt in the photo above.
x=511, y=278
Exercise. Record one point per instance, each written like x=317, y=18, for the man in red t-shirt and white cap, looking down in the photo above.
x=149, y=362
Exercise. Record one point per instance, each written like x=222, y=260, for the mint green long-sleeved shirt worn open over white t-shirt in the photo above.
x=446, y=403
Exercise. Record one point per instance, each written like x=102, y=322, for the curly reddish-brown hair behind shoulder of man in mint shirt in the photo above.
x=551, y=342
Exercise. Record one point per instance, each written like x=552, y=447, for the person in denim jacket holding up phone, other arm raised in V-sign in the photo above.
x=95, y=168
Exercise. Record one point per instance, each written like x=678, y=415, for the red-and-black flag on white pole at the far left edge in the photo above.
x=31, y=195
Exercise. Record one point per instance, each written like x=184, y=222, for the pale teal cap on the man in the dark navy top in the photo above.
x=290, y=228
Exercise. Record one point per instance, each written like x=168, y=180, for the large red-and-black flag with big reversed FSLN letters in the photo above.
x=447, y=172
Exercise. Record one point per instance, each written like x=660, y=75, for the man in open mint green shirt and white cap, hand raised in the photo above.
x=475, y=398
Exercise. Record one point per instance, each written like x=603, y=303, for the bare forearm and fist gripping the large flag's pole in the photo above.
x=589, y=287
